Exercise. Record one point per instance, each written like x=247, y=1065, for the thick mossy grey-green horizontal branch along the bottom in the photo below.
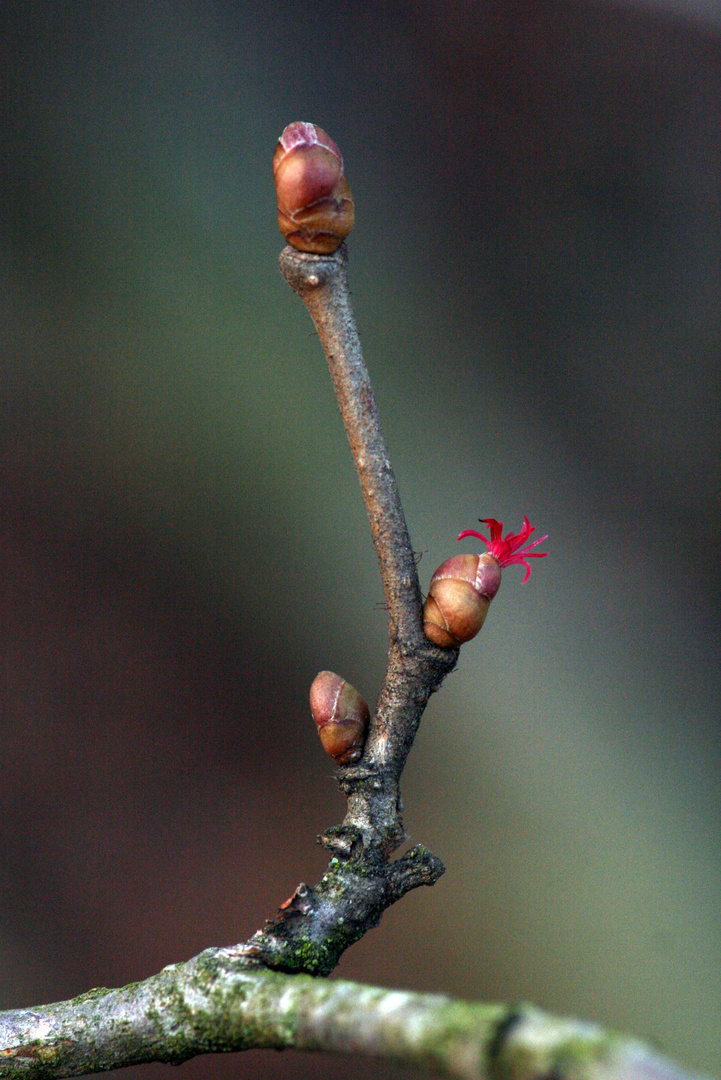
x=216, y=1003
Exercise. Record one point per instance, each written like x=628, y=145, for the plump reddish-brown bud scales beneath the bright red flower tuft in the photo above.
x=459, y=598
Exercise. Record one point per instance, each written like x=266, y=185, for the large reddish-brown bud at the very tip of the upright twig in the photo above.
x=316, y=208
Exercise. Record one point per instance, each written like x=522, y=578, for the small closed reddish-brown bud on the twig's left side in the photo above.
x=342, y=715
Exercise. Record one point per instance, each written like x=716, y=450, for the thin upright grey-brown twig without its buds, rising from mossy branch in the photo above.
x=318, y=925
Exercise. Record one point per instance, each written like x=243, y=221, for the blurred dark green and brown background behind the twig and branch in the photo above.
x=537, y=273
